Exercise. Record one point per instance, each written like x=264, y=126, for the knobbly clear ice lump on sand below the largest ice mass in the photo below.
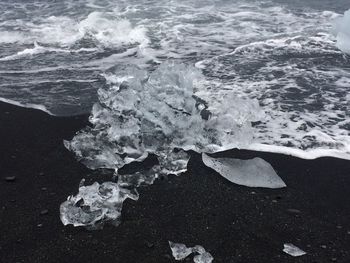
x=95, y=204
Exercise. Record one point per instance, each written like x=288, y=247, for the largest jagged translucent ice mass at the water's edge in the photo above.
x=138, y=114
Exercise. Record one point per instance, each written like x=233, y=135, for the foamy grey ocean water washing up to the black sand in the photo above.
x=56, y=55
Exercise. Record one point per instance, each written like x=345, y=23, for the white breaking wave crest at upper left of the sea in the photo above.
x=105, y=28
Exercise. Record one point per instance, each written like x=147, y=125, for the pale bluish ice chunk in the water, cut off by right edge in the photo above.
x=342, y=31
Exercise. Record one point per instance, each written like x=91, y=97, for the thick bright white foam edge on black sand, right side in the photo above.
x=303, y=154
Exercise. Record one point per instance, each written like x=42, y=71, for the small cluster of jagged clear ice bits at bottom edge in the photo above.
x=181, y=251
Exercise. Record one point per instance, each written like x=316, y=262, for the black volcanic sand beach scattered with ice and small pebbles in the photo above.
x=234, y=223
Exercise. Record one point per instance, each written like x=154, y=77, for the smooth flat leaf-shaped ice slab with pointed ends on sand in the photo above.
x=253, y=173
